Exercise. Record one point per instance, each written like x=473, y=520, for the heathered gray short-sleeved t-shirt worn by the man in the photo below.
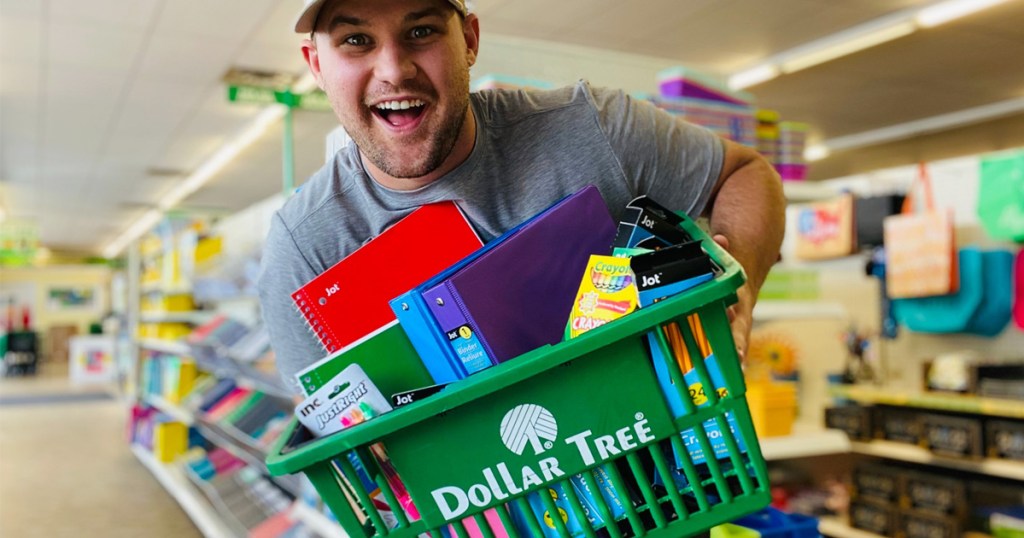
x=532, y=150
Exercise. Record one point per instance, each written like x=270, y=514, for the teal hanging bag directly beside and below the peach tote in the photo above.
x=952, y=313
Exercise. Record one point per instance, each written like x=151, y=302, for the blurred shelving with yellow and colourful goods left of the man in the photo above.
x=209, y=401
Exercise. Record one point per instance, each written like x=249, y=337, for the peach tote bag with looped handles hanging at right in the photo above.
x=921, y=247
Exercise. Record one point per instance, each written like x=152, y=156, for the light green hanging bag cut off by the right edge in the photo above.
x=1001, y=196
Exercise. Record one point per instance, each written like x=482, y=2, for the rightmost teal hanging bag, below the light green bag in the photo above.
x=997, y=283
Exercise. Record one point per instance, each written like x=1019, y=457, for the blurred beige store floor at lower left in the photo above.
x=66, y=469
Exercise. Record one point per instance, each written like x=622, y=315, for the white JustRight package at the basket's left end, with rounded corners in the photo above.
x=344, y=402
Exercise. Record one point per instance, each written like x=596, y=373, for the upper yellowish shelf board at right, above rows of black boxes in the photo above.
x=940, y=402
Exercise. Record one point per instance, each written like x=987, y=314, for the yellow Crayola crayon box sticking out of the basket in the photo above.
x=608, y=293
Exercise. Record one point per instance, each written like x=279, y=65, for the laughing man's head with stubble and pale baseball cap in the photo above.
x=397, y=73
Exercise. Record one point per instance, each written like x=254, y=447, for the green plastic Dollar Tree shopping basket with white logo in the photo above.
x=584, y=416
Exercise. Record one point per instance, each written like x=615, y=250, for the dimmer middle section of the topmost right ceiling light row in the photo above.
x=845, y=44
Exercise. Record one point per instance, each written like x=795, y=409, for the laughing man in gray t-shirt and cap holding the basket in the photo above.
x=397, y=74
